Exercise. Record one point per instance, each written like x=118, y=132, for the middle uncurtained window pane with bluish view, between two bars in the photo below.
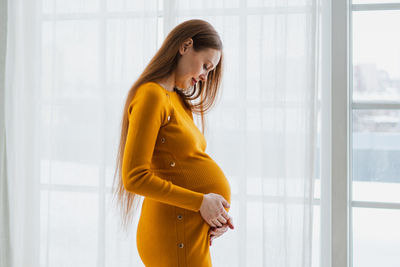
x=376, y=152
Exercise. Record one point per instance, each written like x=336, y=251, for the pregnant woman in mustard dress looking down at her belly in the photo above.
x=162, y=152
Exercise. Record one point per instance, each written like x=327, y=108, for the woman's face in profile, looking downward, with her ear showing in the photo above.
x=194, y=66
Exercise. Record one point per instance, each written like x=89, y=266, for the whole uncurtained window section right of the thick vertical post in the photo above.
x=375, y=133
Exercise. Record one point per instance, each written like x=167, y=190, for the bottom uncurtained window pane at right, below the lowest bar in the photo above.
x=376, y=237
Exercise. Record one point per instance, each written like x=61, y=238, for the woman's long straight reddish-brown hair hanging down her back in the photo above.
x=161, y=66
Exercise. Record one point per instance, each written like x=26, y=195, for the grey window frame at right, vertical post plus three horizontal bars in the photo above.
x=336, y=136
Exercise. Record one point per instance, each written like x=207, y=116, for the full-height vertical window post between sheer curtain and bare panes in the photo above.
x=335, y=193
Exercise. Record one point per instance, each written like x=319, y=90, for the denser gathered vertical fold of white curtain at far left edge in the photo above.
x=21, y=103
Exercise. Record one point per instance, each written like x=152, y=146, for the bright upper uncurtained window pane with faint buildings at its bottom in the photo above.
x=376, y=55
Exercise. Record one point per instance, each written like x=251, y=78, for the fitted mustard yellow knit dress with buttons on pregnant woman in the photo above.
x=165, y=161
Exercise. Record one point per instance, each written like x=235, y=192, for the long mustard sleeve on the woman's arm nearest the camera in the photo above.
x=148, y=112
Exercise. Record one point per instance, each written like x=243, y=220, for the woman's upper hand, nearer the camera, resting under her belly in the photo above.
x=213, y=212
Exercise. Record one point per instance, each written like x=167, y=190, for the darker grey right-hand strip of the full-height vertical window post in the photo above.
x=340, y=134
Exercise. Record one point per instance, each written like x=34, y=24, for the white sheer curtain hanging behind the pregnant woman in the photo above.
x=69, y=65
